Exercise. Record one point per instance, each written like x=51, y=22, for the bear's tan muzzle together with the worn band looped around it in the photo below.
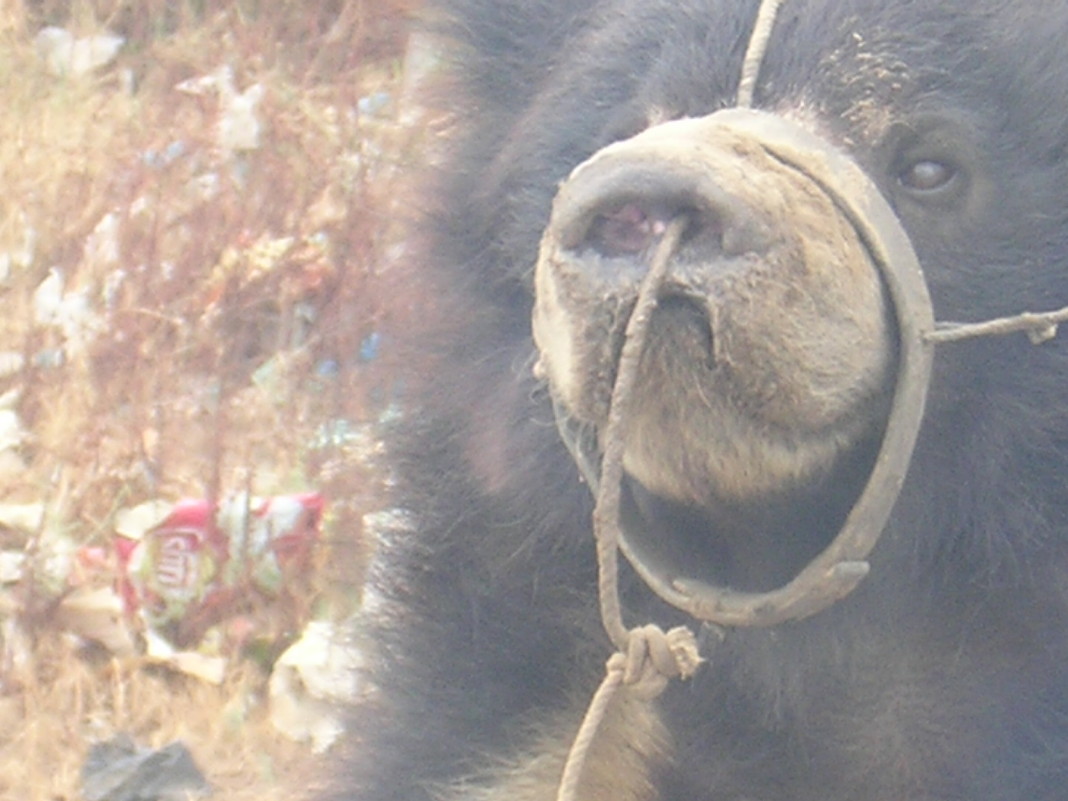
x=773, y=365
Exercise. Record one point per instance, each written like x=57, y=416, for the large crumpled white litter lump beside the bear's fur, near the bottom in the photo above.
x=311, y=684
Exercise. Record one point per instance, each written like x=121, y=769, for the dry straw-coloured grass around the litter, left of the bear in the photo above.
x=206, y=338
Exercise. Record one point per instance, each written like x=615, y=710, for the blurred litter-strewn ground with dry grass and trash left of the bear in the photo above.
x=202, y=202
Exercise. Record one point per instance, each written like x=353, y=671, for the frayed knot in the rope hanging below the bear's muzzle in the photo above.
x=653, y=657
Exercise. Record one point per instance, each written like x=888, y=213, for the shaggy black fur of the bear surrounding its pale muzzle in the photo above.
x=945, y=677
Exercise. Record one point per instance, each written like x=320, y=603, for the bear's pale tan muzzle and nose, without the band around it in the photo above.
x=772, y=351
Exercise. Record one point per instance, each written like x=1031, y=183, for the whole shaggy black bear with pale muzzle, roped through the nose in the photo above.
x=587, y=133
